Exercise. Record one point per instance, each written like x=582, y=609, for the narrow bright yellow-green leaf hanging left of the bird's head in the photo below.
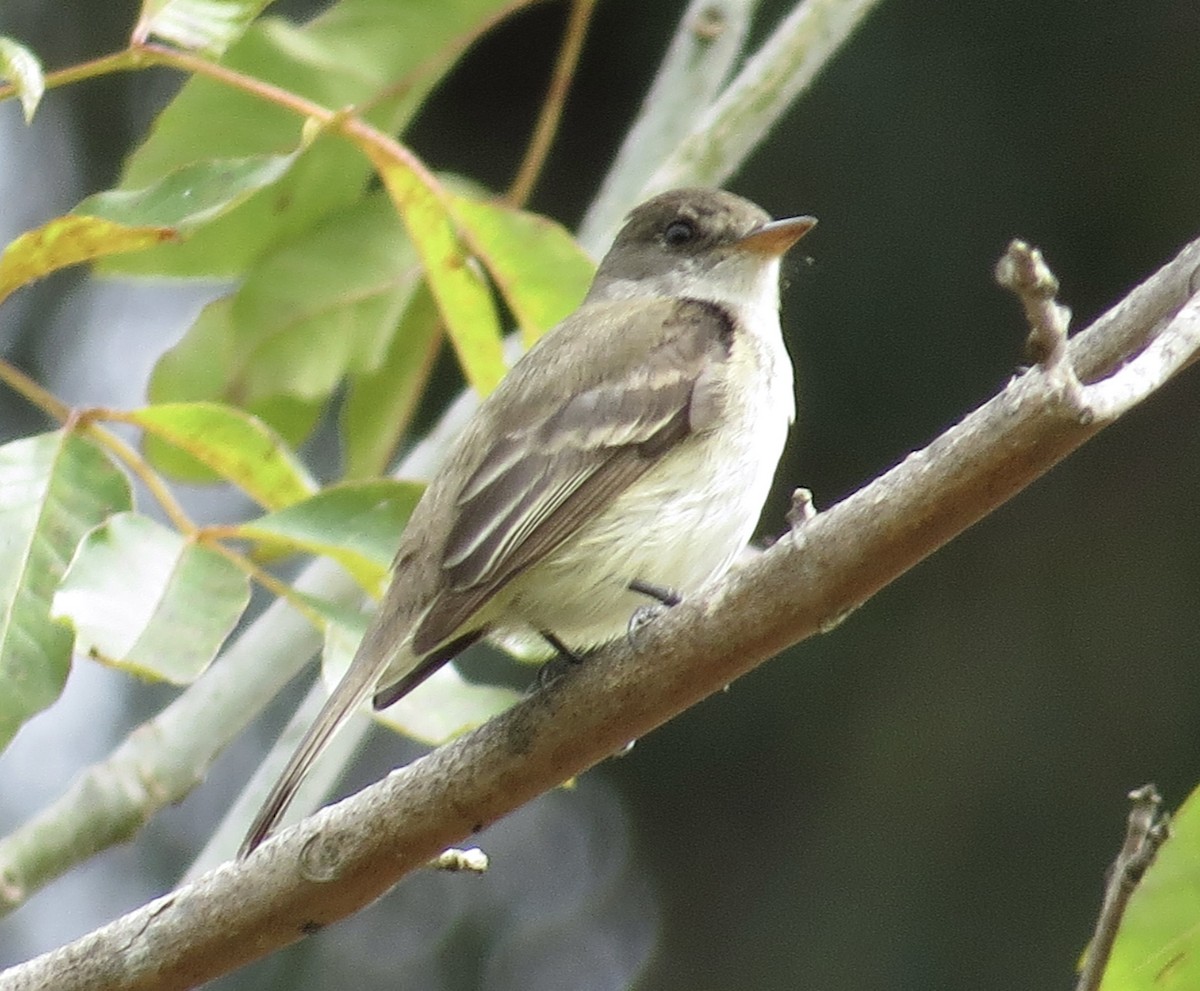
x=458, y=285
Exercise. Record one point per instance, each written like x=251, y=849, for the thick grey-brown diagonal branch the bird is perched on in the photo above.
x=350, y=855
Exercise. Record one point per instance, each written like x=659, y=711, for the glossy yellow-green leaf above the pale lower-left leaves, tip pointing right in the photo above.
x=235, y=446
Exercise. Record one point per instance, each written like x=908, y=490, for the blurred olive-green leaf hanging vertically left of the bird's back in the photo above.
x=380, y=405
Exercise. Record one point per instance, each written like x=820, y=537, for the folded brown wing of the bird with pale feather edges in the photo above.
x=556, y=467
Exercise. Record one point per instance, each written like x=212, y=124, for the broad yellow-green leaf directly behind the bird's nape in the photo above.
x=539, y=269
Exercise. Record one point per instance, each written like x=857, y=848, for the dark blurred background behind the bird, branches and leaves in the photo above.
x=929, y=796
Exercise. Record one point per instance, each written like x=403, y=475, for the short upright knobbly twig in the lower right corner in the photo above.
x=1144, y=836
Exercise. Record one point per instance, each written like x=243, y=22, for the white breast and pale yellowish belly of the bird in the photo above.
x=683, y=524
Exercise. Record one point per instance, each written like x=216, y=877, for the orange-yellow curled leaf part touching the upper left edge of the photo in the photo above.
x=68, y=242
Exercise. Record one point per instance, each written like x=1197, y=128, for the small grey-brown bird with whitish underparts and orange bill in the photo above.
x=626, y=457
